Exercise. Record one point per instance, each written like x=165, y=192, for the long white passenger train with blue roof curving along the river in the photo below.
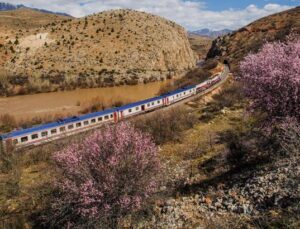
x=69, y=126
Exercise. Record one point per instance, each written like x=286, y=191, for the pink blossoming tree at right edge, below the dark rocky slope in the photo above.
x=271, y=78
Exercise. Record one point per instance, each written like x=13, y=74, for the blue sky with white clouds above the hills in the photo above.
x=192, y=14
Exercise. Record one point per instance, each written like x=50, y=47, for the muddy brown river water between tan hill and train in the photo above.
x=71, y=102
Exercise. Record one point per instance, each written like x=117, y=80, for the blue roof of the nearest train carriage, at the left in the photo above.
x=59, y=122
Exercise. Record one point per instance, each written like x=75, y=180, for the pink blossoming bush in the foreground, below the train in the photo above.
x=111, y=172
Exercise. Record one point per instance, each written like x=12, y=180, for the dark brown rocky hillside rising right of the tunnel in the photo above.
x=233, y=47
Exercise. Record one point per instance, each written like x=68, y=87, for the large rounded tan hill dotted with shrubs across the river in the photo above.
x=105, y=49
